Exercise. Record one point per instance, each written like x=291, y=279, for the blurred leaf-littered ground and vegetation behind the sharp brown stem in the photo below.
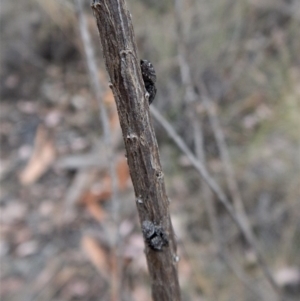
x=228, y=81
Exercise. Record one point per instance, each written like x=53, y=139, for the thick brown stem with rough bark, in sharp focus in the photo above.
x=123, y=66
